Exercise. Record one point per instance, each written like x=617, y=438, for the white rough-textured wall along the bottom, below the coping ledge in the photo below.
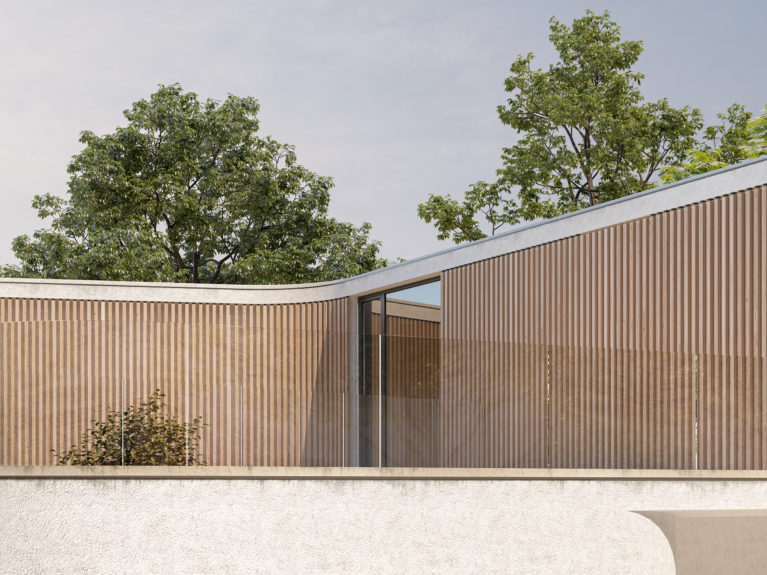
x=347, y=525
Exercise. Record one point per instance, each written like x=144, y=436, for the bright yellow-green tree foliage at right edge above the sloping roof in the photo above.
x=737, y=137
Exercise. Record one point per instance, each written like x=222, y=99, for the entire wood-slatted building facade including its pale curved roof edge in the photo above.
x=631, y=335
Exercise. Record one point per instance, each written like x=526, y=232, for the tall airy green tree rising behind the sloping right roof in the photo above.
x=587, y=135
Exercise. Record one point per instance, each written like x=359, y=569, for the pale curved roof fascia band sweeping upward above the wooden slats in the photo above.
x=690, y=191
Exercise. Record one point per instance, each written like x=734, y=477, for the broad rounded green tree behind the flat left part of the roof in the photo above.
x=188, y=192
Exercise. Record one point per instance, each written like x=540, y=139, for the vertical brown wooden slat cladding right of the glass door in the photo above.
x=641, y=345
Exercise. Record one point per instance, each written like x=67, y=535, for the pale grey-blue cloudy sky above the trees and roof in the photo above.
x=394, y=100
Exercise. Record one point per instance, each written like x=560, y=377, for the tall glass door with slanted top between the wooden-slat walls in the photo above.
x=400, y=378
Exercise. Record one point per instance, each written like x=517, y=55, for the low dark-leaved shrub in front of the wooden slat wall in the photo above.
x=143, y=435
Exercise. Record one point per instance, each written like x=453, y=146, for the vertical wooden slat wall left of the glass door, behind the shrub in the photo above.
x=282, y=368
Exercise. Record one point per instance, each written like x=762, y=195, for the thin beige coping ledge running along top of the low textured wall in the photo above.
x=374, y=473
